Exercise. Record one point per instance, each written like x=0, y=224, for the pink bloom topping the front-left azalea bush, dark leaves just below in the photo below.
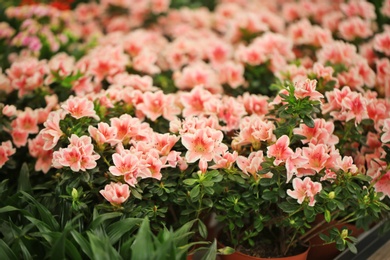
x=79, y=107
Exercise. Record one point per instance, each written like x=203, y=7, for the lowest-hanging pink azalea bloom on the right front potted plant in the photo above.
x=305, y=189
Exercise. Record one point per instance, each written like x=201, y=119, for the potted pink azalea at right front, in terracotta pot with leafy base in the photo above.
x=282, y=184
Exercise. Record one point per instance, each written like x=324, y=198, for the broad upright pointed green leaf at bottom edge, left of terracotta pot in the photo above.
x=142, y=247
